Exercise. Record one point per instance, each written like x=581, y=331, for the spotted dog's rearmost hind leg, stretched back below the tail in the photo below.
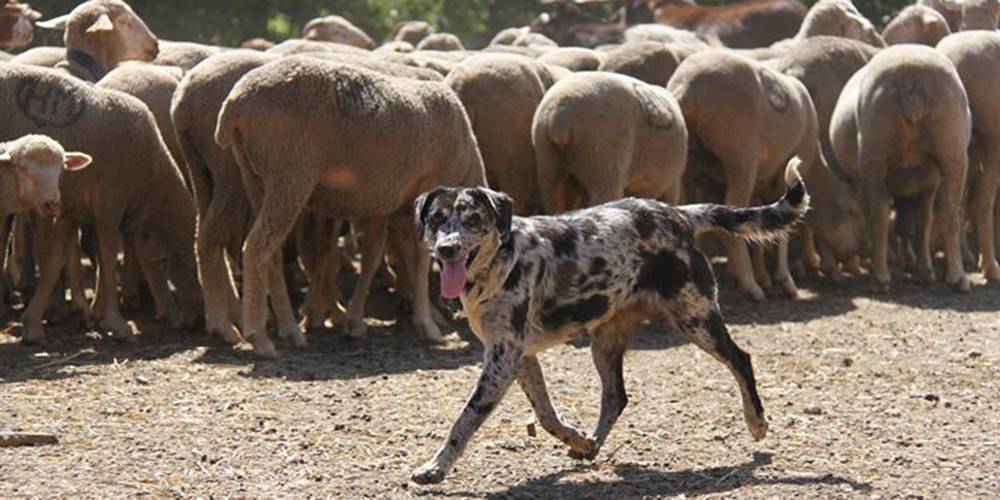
x=699, y=319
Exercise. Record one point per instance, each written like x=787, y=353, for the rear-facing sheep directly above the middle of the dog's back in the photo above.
x=599, y=136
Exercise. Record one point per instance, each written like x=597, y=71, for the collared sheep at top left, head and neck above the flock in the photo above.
x=101, y=34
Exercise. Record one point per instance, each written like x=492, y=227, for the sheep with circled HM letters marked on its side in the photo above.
x=133, y=185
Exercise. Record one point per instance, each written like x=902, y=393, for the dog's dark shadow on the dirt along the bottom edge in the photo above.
x=636, y=481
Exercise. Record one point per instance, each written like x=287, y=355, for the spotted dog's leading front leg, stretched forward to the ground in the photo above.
x=502, y=361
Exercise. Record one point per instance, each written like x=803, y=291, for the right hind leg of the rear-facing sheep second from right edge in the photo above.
x=951, y=192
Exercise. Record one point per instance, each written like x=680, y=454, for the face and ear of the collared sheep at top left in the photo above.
x=109, y=30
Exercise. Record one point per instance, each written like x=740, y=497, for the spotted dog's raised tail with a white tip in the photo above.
x=764, y=223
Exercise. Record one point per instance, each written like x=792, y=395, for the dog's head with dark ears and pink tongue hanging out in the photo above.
x=460, y=224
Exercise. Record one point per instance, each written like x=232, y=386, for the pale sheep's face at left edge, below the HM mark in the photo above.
x=37, y=163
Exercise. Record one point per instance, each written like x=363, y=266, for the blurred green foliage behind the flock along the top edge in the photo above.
x=229, y=22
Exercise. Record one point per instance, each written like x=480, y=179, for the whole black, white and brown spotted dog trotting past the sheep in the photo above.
x=531, y=283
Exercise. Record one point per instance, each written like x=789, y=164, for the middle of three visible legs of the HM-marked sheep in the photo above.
x=109, y=243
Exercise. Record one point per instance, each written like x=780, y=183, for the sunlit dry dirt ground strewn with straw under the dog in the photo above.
x=867, y=395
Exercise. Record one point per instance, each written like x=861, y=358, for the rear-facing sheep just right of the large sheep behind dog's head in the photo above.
x=500, y=94
